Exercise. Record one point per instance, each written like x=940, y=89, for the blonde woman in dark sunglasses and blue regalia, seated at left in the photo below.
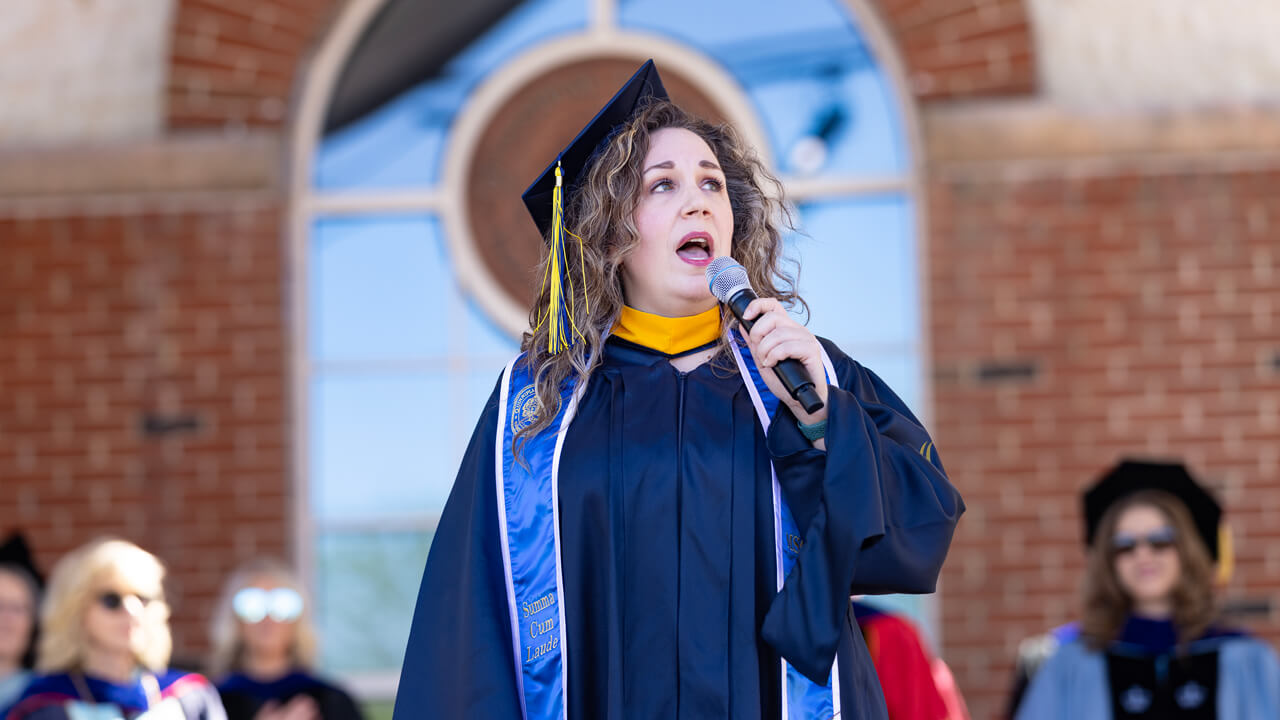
x=106, y=644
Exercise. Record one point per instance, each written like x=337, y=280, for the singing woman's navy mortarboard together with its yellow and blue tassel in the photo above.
x=546, y=197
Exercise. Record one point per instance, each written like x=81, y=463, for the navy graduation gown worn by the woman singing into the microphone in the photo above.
x=669, y=554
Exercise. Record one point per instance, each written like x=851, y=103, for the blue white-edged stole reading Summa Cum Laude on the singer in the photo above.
x=529, y=528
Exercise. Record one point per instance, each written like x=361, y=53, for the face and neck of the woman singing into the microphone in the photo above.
x=685, y=221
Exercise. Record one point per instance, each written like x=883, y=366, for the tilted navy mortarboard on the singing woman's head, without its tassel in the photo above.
x=540, y=199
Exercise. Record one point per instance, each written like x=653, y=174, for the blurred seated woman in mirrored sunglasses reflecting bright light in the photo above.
x=264, y=648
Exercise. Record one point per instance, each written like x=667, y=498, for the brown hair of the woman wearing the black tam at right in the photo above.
x=1108, y=605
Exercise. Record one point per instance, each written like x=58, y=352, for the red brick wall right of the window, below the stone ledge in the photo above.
x=1145, y=304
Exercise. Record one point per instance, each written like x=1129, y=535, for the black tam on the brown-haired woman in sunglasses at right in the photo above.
x=1173, y=479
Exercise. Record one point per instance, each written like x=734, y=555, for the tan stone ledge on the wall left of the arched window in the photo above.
x=176, y=165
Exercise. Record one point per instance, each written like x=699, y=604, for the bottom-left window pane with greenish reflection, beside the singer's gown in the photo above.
x=365, y=595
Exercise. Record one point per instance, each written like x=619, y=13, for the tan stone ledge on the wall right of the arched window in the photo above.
x=1031, y=130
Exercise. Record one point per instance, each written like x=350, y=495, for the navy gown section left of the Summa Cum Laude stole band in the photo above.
x=460, y=660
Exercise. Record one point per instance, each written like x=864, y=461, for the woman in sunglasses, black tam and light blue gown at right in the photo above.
x=1149, y=645
